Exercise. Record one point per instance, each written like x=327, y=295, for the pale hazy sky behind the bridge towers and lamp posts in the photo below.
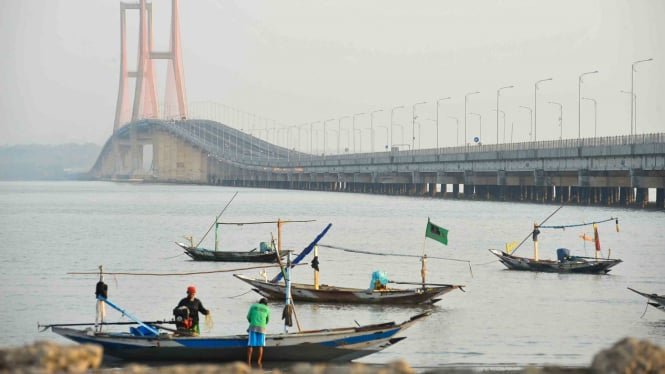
x=302, y=61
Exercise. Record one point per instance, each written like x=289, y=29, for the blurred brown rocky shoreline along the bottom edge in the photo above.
x=626, y=356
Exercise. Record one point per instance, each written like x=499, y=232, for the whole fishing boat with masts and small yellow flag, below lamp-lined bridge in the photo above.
x=565, y=263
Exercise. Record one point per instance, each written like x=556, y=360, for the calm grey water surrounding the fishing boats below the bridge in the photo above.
x=505, y=318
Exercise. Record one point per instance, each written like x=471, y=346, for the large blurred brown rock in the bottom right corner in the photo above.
x=630, y=356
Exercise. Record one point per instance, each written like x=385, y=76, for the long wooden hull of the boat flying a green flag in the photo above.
x=329, y=294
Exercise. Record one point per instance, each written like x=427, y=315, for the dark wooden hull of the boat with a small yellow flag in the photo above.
x=584, y=265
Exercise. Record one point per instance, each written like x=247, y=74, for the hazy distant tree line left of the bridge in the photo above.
x=47, y=162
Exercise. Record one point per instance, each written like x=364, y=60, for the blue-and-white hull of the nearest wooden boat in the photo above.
x=326, y=345
